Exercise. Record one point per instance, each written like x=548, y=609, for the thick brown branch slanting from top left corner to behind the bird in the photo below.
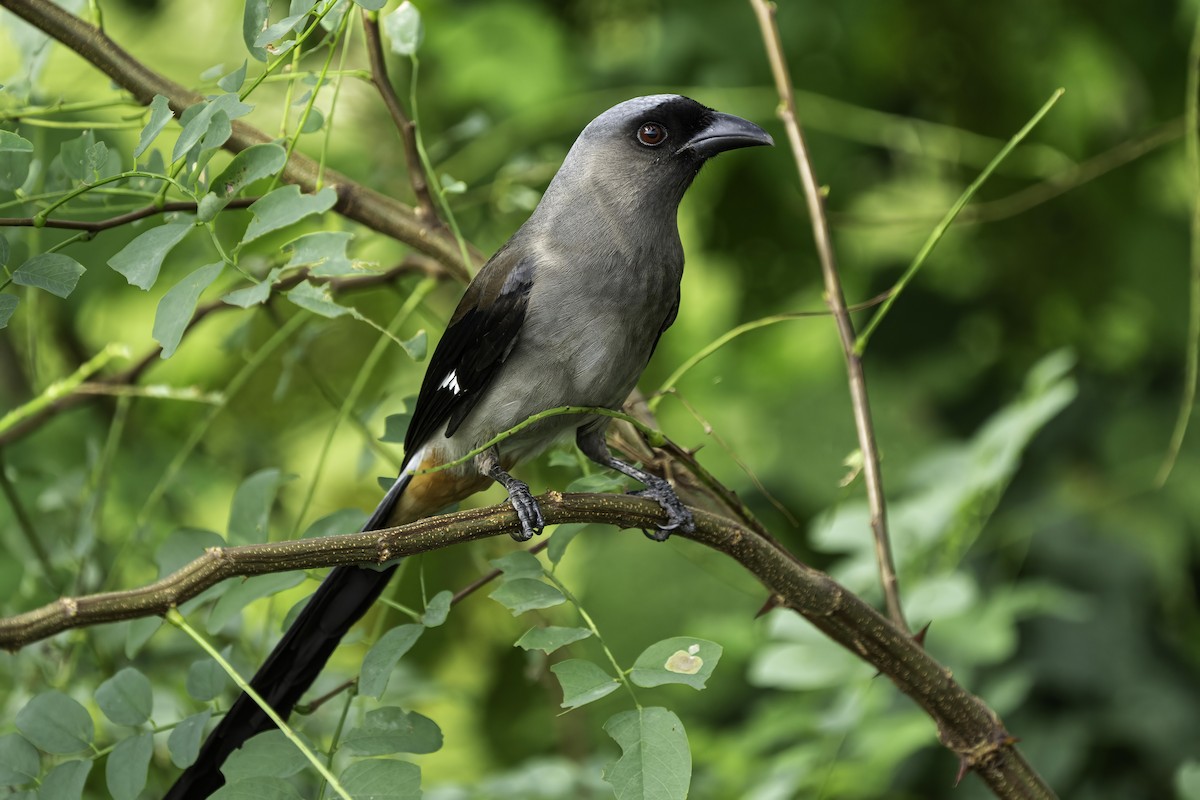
x=355, y=201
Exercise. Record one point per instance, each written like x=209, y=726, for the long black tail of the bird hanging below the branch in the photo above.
x=341, y=600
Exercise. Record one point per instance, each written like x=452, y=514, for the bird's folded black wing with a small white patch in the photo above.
x=481, y=336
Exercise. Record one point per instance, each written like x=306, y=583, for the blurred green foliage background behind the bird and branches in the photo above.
x=1060, y=581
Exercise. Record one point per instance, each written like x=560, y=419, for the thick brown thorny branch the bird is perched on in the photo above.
x=965, y=725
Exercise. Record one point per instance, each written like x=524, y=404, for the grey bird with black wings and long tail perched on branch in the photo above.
x=568, y=312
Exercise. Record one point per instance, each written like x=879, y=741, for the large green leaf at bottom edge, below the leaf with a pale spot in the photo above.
x=656, y=763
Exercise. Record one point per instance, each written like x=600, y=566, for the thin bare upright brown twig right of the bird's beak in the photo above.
x=837, y=300
